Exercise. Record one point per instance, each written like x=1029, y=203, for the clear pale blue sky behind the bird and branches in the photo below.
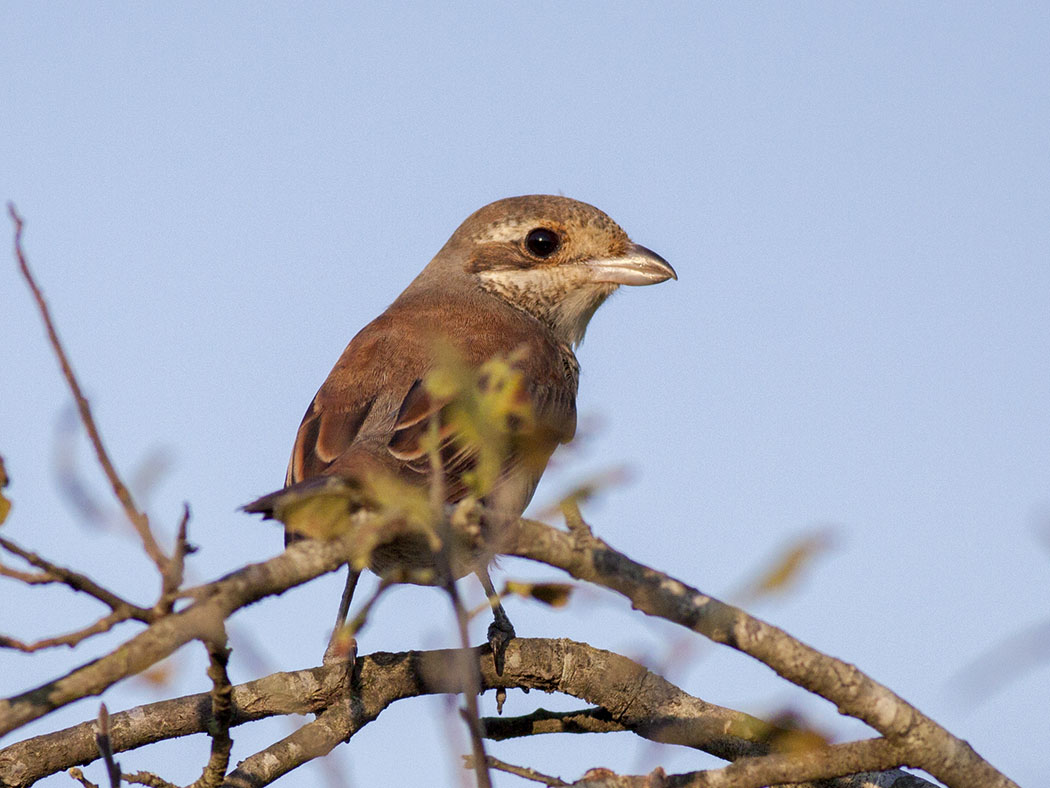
x=857, y=201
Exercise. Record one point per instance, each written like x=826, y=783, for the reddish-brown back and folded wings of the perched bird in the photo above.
x=372, y=413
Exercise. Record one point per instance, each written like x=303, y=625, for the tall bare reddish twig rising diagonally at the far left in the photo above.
x=138, y=519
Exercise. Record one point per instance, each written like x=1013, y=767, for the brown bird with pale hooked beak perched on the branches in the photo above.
x=518, y=282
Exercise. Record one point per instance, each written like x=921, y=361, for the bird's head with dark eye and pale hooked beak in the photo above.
x=554, y=258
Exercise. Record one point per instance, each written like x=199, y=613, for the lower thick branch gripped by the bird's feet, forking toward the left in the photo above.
x=642, y=702
